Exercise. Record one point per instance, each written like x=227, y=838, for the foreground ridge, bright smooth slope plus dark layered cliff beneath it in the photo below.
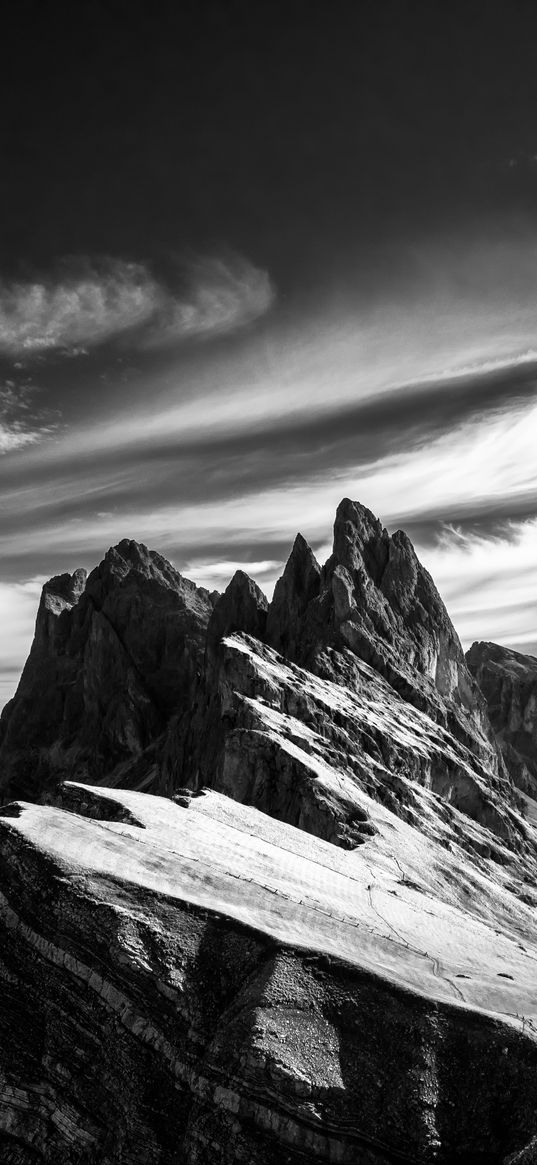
x=197, y=984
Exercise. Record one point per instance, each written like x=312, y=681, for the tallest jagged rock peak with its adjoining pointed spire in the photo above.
x=375, y=598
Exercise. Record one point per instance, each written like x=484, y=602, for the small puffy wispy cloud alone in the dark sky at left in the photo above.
x=88, y=303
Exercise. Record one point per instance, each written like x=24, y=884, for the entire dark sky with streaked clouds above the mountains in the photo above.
x=256, y=258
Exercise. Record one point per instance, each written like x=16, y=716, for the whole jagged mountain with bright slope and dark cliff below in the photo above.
x=268, y=886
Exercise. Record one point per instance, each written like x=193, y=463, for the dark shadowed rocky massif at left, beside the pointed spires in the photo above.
x=114, y=656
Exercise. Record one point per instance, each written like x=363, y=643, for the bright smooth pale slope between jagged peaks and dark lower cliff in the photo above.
x=398, y=907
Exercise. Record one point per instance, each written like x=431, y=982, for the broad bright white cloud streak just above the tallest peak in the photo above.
x=273, y=483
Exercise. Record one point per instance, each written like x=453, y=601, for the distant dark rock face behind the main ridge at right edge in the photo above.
x=508, y=681
